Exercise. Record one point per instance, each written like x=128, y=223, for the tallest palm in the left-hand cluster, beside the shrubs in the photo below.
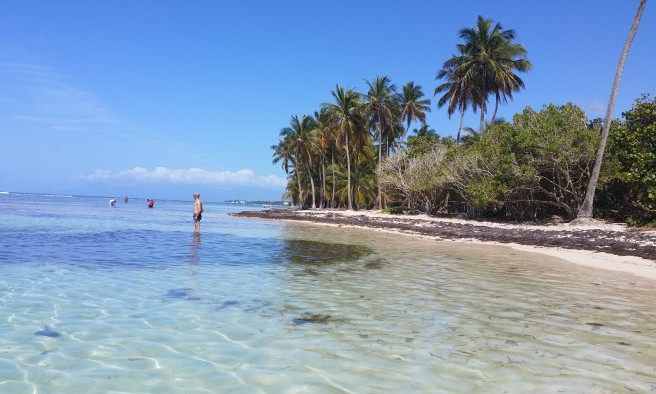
x=379, y=107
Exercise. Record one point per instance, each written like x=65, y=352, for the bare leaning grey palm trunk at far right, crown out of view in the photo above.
x=585, y=210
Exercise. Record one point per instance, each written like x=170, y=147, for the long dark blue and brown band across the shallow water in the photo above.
x=152, y=249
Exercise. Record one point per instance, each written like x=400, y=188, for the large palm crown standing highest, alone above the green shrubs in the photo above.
x=486, y=65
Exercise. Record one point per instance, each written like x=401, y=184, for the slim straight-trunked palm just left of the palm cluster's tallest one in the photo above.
x=344, y=113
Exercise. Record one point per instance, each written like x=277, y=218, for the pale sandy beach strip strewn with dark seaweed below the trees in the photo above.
x=608, y=246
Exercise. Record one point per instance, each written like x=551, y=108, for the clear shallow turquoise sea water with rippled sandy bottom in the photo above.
x=127, y=299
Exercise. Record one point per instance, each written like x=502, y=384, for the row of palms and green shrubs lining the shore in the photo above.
x=357, y=151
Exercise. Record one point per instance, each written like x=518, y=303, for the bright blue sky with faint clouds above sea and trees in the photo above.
x=160, y=99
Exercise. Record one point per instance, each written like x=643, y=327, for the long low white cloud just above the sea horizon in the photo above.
x=243, y=177
